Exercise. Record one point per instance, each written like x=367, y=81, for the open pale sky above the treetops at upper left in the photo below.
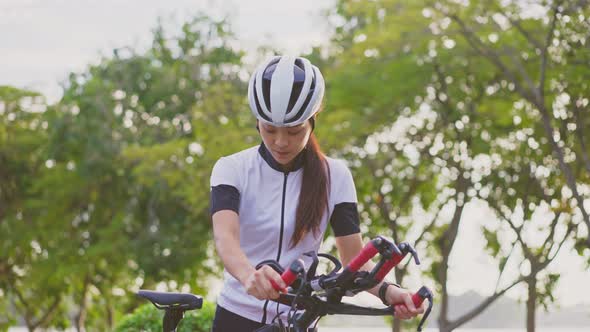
x=41, y=41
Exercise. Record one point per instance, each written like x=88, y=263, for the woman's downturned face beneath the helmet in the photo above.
x=285, y=143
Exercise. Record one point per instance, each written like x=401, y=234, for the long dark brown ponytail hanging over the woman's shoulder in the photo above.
x=313, y=197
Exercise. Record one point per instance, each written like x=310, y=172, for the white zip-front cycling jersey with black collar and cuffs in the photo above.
x=252, y=184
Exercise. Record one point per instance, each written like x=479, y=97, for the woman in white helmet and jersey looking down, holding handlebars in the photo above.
x=275, y=200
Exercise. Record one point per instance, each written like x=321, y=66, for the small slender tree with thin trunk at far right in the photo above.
x=536, y=217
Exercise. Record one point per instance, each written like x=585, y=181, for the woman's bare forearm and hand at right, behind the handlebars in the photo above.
x=348, y=247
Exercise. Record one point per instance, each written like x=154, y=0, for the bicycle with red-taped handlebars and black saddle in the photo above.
x=316, y=295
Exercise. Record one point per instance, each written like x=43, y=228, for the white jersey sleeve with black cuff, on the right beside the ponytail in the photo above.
x=345, y=217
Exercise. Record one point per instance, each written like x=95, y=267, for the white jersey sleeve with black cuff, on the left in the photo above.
x=225, y=188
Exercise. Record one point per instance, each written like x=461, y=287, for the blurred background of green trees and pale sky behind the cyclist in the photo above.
x=465, y=124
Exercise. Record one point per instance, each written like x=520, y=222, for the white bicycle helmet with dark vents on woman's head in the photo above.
x=285, y=91
